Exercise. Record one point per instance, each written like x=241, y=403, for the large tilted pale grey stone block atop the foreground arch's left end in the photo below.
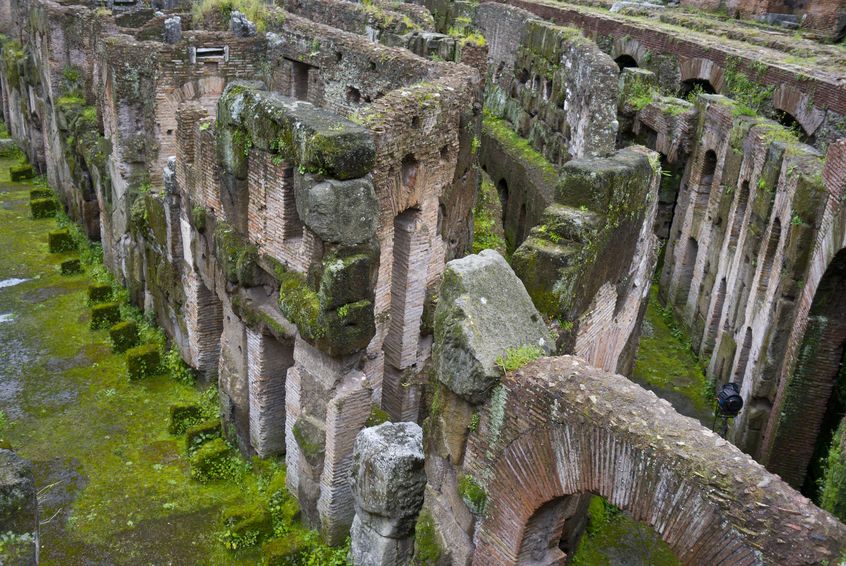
x=483, y=311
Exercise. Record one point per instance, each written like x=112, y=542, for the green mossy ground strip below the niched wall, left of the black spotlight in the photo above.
x=667, y=365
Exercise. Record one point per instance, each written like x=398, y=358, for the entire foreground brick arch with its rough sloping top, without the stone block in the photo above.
x=560, y=428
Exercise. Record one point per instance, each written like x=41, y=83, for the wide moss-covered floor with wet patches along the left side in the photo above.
x=115, y=486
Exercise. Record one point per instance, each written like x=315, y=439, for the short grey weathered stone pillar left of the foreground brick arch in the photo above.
x=387, y=480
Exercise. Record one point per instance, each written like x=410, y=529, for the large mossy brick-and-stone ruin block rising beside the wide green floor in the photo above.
x=286, y=250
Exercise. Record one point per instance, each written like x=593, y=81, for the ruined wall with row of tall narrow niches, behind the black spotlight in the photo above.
x=750, y=207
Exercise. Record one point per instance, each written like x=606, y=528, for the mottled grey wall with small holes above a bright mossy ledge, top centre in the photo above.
x=550, y=96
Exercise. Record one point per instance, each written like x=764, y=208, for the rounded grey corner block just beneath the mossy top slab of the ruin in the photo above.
x=343, y=212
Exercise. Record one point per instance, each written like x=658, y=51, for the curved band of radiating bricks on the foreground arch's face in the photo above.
x=571, y=464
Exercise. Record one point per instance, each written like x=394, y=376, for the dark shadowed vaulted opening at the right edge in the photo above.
x=814, y=401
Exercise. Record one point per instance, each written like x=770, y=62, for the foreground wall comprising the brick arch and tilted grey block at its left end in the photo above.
x=508, y=457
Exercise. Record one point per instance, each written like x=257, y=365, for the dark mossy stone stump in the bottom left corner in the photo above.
x=18, y=511
